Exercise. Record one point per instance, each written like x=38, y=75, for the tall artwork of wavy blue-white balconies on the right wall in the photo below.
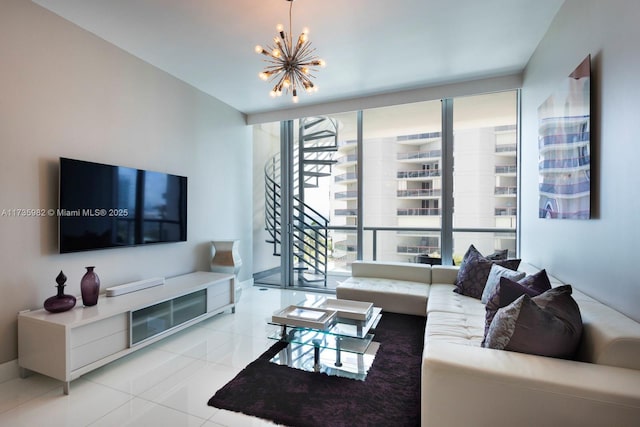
x=564, y=157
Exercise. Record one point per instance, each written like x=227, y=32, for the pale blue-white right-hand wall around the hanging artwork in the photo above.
x=595, y=255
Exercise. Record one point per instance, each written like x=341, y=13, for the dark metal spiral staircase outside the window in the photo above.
x=313, y=157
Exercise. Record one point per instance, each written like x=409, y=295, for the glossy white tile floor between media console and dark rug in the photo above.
x=165, y=384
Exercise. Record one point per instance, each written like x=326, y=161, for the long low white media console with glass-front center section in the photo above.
x=67, y=345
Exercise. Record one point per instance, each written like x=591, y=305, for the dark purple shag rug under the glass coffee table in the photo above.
x=389, y=395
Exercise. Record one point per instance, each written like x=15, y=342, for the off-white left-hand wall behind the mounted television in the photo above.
x=65, y=92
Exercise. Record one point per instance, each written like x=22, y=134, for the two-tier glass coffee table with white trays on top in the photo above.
x=327, y=335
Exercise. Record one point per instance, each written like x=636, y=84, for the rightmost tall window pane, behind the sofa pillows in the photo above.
x=485, y=186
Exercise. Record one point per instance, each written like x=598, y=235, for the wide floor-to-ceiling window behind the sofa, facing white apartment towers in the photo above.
x=393, y=184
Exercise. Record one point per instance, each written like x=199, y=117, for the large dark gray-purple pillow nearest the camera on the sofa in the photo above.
x=548, y=325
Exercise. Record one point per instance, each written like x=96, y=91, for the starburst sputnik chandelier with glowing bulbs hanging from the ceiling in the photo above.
x=288, y=65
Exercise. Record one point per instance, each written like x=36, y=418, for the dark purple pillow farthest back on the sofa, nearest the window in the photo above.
x=474, y=271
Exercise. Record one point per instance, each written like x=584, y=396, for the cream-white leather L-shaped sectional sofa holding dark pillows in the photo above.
x=465, y=384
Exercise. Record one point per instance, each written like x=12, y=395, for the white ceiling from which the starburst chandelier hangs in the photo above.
x=371, y=46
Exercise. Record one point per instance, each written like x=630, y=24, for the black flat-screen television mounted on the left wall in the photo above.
x=104, y=206
